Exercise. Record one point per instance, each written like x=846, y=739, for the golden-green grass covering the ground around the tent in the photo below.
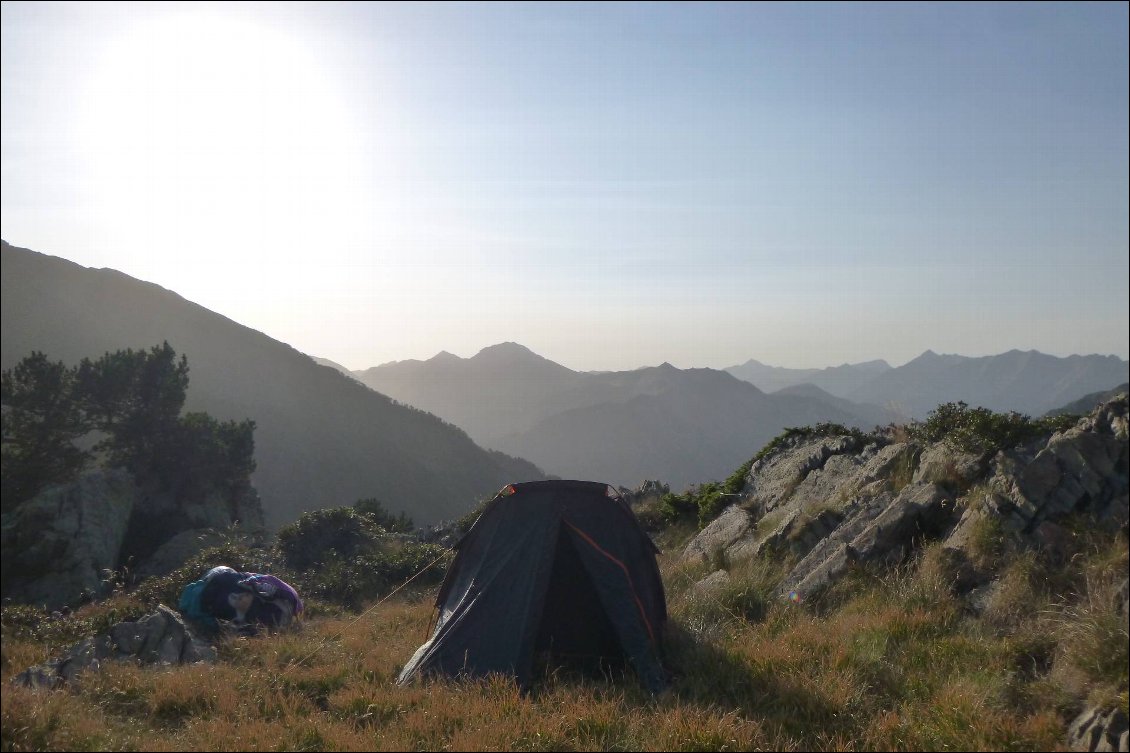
x=885, y=661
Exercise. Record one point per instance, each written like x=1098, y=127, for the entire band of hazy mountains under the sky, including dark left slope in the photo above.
x=325, y=438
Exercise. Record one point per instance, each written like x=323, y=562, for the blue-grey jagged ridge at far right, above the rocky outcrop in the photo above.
x=1027, y=382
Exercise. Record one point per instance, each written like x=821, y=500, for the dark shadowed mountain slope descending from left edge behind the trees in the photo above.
x=323, y=439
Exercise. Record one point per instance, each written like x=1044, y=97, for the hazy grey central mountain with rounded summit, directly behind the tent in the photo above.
x=677, y=426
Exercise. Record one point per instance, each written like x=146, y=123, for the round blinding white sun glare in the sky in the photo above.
x=210, y=133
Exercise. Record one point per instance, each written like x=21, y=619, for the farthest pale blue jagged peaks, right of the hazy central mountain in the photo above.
x=1025, y=382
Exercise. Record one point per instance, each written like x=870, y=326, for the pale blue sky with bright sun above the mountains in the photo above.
x=611, y=185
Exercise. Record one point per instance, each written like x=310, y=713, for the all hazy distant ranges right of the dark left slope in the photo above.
x=686, y=427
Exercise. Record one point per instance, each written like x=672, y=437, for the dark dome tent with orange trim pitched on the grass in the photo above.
x=559, y=572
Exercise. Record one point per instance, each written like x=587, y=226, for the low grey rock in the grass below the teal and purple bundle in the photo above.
x=160, y=638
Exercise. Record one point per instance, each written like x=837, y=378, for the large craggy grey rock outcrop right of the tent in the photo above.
x=829, y=503
